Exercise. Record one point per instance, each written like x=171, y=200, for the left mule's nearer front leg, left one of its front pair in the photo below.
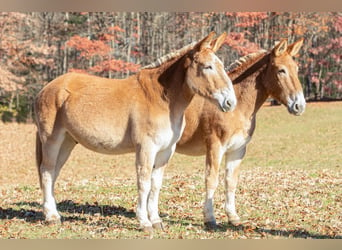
x=144, y=164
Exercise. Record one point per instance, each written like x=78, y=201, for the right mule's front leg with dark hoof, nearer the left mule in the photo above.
x=213, y=161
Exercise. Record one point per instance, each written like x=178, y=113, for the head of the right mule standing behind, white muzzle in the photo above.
x=282, y=77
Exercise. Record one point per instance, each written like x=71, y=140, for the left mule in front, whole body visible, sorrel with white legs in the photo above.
x=143, y=113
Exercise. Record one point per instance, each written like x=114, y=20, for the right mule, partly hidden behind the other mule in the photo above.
x=255, y=78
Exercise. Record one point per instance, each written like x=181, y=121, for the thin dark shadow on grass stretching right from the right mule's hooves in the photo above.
x=248, y=229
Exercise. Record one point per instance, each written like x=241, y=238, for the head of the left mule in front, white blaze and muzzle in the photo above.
x=206, y=76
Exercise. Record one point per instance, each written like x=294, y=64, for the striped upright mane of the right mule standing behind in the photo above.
x=243, y=63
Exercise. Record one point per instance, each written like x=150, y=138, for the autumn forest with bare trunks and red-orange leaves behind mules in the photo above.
x=37, y=47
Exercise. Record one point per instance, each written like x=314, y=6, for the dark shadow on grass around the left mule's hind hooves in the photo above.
x=67, y=206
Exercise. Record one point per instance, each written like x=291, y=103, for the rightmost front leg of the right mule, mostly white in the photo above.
x=233, y=161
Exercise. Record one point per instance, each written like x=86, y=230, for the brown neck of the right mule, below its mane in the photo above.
x=249, y=86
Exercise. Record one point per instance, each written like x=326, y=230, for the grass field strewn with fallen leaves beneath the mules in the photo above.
x=290, y=186
